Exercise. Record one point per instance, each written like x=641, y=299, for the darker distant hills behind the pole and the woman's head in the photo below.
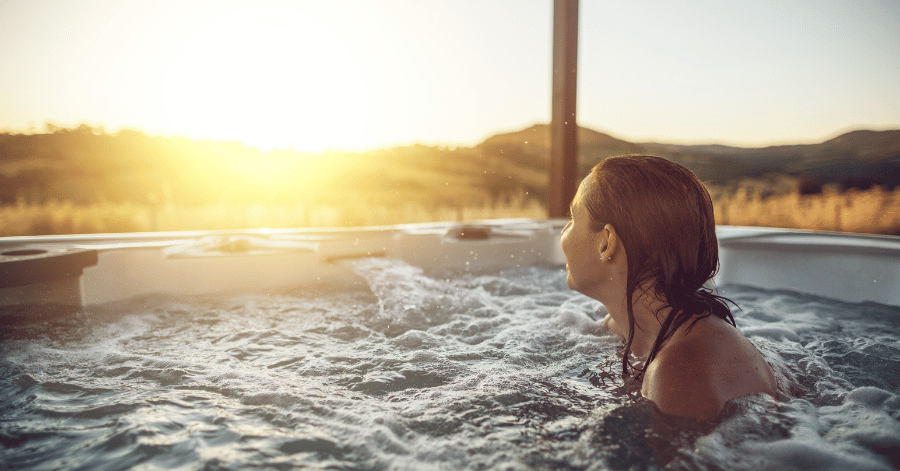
x=857, y=158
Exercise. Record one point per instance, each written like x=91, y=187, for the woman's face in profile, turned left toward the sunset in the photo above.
x=581, y=248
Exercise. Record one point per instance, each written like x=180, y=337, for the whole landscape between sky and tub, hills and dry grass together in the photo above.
x=83, y=180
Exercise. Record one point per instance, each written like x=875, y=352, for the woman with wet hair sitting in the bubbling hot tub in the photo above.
x=642, y=241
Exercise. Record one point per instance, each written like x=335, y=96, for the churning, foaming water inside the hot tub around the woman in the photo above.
x=420, y=371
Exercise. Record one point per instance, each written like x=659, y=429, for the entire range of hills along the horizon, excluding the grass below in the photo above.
x=85, y=166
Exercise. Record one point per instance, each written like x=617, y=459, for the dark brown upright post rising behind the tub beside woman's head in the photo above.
x=563, y=166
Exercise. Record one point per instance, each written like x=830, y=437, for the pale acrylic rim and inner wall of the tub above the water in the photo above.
x=841, y=266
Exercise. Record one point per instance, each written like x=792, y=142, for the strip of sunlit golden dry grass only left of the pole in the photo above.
x=67, y=218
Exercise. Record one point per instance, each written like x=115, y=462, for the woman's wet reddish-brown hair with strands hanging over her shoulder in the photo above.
x=664, y=218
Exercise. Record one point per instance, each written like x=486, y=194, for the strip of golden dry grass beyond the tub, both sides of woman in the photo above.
x=873, y=211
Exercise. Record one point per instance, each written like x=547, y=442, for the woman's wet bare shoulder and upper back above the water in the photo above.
x=697, y=372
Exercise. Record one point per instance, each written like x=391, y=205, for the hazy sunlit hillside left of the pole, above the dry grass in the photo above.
x=86, y=166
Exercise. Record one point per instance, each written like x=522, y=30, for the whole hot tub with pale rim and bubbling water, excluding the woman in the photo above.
x=426, y=346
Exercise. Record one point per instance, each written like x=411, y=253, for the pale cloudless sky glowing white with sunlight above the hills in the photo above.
x=370, y=73
